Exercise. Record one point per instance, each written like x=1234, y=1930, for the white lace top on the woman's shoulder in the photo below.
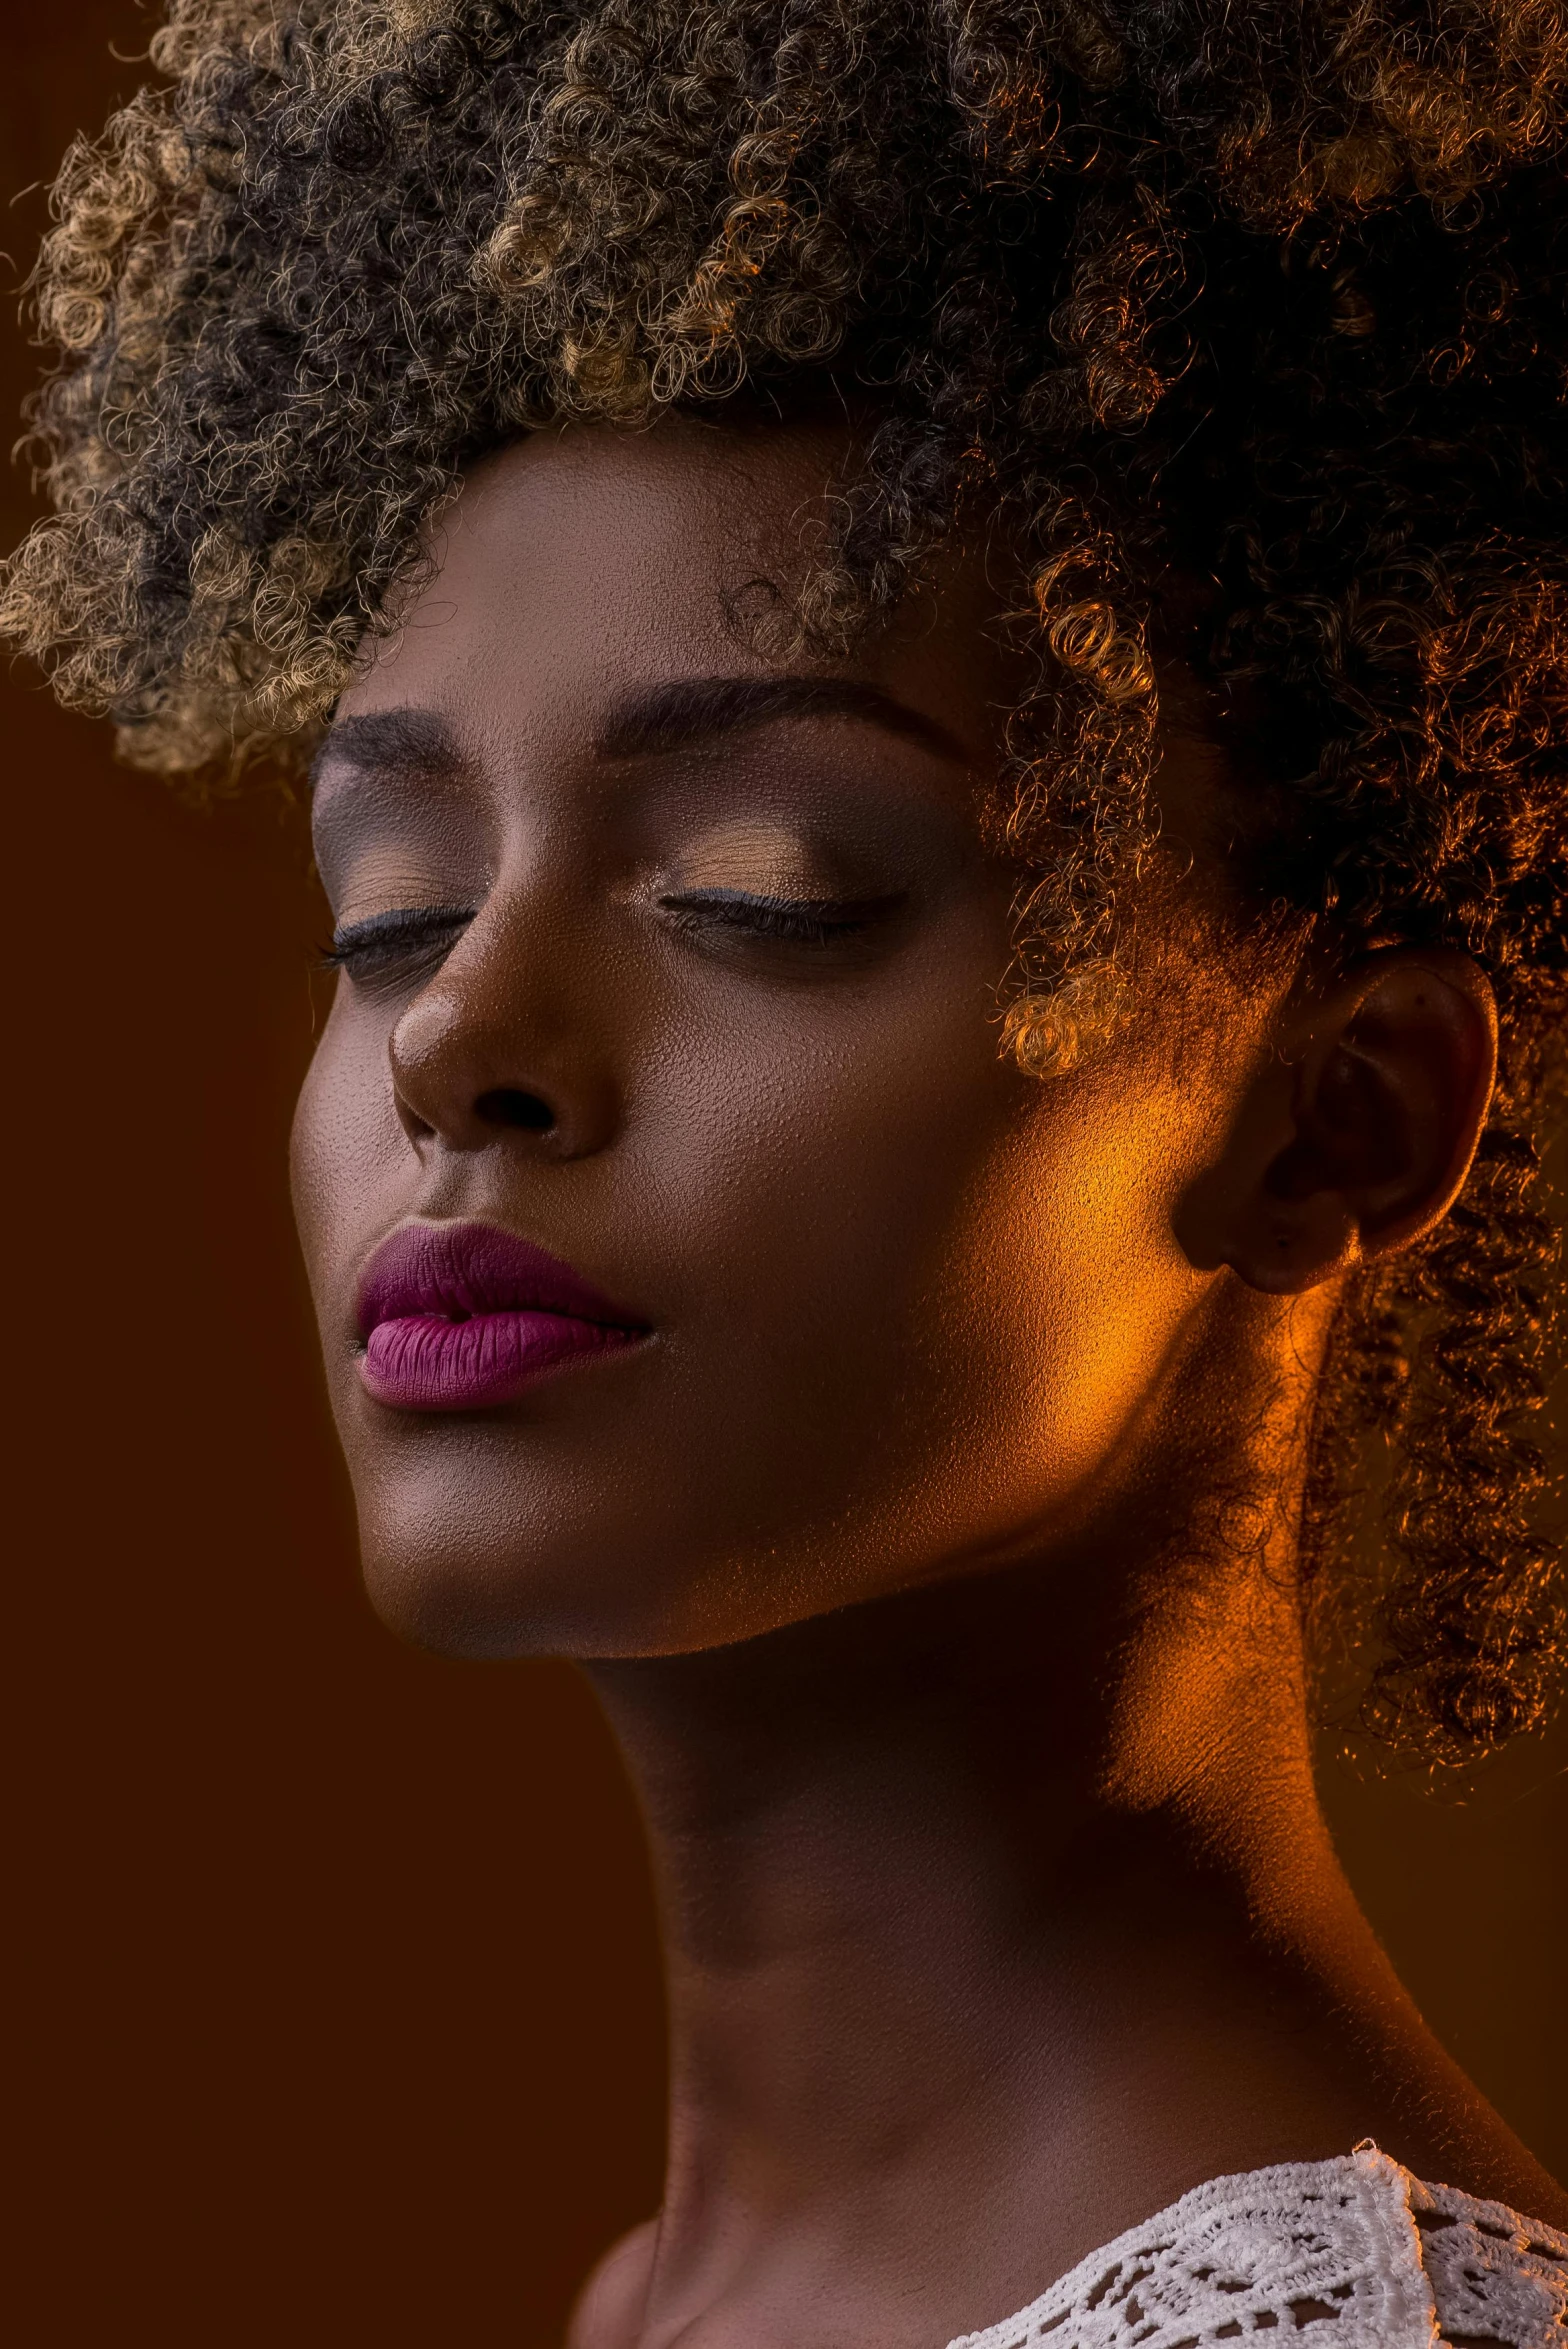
x=1356, y=2244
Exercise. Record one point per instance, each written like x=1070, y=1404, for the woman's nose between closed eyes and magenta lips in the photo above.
x=492, y=1049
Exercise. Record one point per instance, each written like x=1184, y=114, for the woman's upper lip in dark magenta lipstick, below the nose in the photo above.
x=468, y=1270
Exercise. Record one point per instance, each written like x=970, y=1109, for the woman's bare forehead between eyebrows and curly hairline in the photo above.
x=583, y=563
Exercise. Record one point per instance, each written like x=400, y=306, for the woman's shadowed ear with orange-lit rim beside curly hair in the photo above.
x=1360, y=1131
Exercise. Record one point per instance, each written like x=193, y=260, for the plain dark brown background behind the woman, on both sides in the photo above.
x=337, y=2005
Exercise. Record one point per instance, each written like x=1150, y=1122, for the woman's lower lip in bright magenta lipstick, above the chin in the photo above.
x=428, y=1364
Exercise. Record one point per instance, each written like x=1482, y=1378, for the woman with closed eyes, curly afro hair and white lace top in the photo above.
x=933, y=657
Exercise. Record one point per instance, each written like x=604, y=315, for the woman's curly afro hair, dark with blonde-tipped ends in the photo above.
x=1248, y=321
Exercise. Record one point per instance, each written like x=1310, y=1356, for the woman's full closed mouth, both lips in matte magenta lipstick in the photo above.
x=466, y=1317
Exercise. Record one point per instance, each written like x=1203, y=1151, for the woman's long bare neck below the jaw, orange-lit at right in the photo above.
x=982, y=1951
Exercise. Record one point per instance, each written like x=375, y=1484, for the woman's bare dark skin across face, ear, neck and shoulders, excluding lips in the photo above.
x=933, y=1554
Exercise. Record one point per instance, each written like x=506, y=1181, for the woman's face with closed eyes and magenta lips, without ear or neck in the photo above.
x=687, y=1251
